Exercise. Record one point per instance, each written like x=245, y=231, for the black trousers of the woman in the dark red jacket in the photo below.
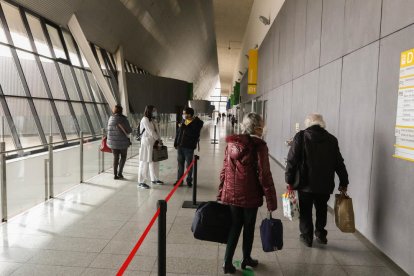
x=241, y=218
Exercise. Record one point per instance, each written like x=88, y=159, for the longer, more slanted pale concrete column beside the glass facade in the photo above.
x=83, y=44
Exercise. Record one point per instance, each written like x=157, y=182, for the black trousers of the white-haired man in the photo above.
x=306, y=203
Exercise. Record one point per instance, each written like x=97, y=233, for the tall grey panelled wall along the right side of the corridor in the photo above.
x=341, y=58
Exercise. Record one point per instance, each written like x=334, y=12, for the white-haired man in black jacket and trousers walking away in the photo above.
x=322, y=159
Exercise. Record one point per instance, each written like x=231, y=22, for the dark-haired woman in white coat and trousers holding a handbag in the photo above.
x=150, y=136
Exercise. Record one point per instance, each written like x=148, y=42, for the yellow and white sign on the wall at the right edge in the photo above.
x=404, y=128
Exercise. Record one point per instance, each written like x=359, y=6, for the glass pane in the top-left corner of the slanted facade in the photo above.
x=16, y=26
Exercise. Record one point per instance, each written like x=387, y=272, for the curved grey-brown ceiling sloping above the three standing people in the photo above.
x=169, y=38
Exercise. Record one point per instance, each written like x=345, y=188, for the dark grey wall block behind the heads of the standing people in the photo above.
x=168, y=95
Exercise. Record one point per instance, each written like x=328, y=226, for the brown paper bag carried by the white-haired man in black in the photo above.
x=344, y=213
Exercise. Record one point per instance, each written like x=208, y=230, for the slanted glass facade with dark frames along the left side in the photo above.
x=46, y=86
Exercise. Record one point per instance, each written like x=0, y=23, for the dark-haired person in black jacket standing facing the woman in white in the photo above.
x=186, y=140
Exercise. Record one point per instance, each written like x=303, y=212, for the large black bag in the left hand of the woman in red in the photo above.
x=212, y=222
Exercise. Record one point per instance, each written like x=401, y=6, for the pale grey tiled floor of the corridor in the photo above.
x=90, y=230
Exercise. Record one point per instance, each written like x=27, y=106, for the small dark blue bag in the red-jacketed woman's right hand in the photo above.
x=271, y=233
